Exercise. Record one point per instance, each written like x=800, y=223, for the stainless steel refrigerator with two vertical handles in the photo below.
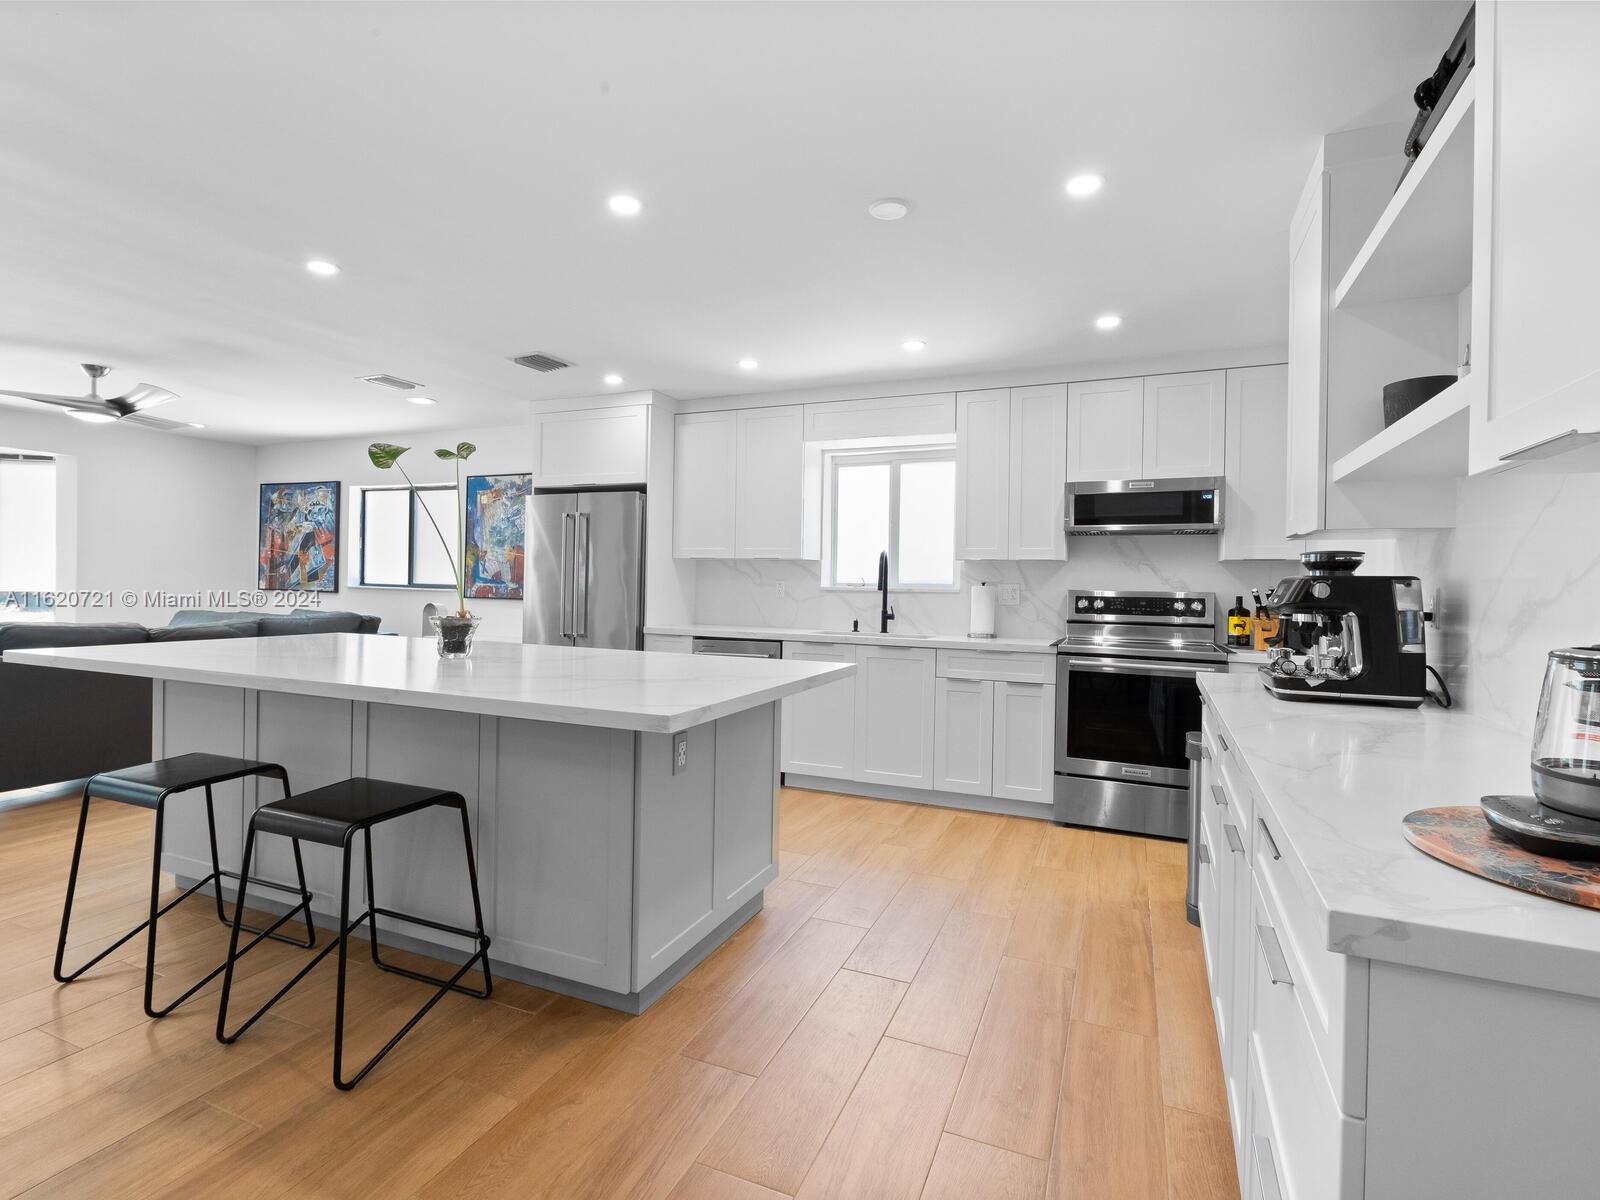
x=585, y=570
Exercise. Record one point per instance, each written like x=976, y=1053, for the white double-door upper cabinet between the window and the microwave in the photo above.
x=1010, y=468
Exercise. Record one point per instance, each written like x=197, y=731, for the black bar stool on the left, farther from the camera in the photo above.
x=148, y=786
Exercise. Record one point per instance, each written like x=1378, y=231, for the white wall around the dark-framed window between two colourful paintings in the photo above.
x=503, y=450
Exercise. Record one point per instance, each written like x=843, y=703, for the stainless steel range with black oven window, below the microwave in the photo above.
x=1127, y=697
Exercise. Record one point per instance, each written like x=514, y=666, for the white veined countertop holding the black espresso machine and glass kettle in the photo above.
x=1342, y=777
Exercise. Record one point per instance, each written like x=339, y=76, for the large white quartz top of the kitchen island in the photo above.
x=610, y=689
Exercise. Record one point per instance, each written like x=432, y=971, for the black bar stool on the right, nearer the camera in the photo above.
x=334, y=817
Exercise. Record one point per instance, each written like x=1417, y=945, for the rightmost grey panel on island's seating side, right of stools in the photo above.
x=558, y=868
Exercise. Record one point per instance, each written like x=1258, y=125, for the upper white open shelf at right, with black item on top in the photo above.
x=1423, y=242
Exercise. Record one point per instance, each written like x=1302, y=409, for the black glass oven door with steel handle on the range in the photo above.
x=1127, y=719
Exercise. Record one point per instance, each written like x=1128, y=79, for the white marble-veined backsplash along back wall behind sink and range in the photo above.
x=746, y=593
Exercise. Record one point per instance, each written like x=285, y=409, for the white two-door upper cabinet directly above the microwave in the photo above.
x=1164, y=426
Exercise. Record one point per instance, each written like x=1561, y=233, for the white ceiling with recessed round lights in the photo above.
x=166, y=170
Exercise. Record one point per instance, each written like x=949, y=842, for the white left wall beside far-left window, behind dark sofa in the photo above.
x=142, y=511
